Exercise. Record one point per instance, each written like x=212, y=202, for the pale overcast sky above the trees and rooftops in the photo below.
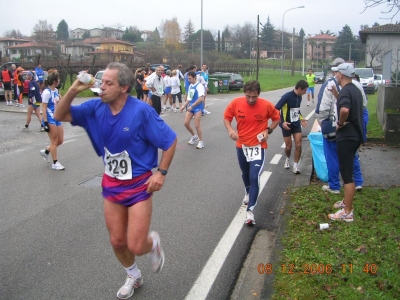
x=217, y=14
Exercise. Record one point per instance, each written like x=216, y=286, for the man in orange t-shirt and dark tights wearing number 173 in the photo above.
x=252, y=115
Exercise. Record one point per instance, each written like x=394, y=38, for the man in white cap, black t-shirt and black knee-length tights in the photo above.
x=348, y=137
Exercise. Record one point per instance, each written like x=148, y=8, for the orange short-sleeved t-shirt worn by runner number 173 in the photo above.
x=251, y=119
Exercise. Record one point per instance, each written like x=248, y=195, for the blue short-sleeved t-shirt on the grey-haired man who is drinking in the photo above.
x=137, y=128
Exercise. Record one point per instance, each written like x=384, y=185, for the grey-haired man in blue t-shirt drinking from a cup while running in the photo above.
x=127, y=133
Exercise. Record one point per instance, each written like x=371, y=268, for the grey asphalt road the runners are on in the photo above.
x=54, y=243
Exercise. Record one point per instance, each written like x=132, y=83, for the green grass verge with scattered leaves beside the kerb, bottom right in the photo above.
x=358, y=260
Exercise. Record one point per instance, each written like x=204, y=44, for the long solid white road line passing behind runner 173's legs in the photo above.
x=204, y=282
